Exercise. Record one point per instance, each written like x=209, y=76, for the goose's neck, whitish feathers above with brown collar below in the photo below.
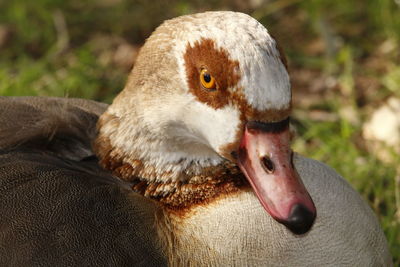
x=198, y=172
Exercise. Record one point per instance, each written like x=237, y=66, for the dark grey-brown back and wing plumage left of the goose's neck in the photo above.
x=57, y=206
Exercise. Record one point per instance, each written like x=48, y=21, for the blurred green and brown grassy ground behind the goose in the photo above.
x=343, y=58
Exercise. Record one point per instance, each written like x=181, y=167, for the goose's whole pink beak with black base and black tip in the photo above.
x=265, y=158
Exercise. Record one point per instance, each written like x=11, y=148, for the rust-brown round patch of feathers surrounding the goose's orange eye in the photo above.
x=204, y=55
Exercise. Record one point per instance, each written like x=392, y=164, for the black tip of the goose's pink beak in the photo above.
x=300, y=220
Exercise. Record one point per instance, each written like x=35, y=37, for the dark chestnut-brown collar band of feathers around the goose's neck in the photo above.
x=178, y=197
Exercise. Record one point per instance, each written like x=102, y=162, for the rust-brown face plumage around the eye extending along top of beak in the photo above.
x=205, y=54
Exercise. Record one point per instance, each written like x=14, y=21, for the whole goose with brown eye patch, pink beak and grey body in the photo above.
x=191, y=165
